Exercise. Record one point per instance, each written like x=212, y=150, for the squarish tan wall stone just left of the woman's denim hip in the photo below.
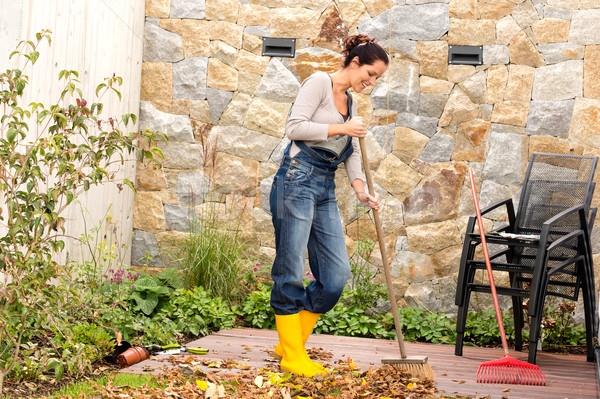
x=234, y=175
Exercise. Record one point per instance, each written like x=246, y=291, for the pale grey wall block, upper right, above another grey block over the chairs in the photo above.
x=558, y=82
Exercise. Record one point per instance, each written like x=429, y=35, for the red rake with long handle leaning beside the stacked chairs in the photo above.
x=505, y=370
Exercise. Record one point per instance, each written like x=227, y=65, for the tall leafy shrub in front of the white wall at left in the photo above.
x=49, y=155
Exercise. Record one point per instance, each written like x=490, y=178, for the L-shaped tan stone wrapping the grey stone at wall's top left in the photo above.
x=195, y=35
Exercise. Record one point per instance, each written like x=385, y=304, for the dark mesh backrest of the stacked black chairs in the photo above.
x=553, y=183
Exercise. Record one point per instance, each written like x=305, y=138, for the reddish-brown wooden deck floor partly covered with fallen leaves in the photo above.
x=568, y=376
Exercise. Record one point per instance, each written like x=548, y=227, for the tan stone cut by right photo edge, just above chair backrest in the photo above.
x=585, y=124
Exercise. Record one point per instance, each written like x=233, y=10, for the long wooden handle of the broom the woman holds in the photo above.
x=382, y=248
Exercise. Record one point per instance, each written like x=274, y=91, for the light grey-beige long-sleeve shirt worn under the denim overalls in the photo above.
x=311, y=114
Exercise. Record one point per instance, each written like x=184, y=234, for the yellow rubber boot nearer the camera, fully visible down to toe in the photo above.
x=294, y=357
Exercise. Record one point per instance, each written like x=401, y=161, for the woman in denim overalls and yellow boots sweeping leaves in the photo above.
x=324, y=133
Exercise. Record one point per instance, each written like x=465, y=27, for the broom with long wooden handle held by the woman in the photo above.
x=415, y=365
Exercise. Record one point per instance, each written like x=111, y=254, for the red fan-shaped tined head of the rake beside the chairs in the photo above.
x=510, y=371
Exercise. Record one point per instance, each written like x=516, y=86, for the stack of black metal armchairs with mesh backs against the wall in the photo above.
x=545, y=247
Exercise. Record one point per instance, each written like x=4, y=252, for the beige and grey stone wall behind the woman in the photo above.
x=223, y=106
